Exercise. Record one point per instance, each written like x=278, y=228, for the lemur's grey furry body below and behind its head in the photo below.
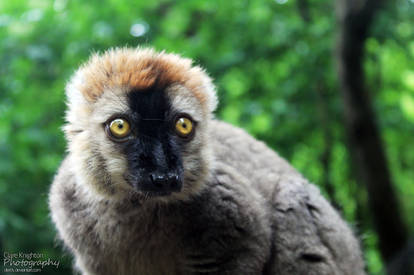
x=257, y=215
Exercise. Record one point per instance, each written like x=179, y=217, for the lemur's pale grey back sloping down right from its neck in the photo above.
x=308, y=236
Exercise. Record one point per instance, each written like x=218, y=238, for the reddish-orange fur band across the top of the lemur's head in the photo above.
x=139, y=69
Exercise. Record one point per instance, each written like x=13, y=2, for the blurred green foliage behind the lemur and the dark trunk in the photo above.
x=272, y=61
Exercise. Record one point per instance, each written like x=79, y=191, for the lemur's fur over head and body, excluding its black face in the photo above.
x=242, y=209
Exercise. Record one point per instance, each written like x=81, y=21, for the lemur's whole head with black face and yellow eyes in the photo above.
x=137, y=124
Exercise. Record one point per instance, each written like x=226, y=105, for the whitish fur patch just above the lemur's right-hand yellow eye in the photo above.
x=183, y=101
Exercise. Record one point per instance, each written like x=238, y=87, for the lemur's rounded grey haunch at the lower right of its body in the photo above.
x=309, y=235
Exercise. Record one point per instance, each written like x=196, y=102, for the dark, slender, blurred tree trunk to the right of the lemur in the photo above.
x=355, y=18
